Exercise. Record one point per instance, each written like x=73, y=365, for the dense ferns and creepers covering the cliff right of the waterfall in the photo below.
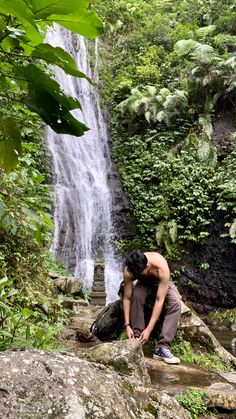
x=168, y=76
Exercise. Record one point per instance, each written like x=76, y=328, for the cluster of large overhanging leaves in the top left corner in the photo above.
x=24, y=59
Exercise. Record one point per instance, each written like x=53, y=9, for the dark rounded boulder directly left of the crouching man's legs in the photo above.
x=109, y=323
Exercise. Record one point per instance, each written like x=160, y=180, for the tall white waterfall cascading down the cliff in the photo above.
x=82, y=217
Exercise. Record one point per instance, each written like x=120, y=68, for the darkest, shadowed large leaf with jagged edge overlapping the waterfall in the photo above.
x=50, y=110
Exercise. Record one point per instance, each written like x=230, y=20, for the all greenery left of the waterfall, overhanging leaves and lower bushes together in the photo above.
x=31, y=313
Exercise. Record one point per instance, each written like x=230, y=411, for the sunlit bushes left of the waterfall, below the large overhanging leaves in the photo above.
x=33, y=314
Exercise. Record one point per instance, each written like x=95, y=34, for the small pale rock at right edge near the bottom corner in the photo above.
x=221, y=395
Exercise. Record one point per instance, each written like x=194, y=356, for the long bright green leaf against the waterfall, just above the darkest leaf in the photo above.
x=57, y=56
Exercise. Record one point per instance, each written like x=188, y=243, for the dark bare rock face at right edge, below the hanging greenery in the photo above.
x=213, y=285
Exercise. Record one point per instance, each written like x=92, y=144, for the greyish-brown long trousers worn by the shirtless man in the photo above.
x=143, y=298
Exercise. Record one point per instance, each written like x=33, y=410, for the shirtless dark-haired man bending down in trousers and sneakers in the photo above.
x=152, y=273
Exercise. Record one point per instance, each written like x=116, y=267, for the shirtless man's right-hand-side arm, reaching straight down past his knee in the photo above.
x=164, y=277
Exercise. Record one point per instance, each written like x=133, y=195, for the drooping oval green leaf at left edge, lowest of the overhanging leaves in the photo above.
x=10, y=144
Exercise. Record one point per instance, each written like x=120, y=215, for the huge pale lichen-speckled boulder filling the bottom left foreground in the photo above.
x=38, y=384
